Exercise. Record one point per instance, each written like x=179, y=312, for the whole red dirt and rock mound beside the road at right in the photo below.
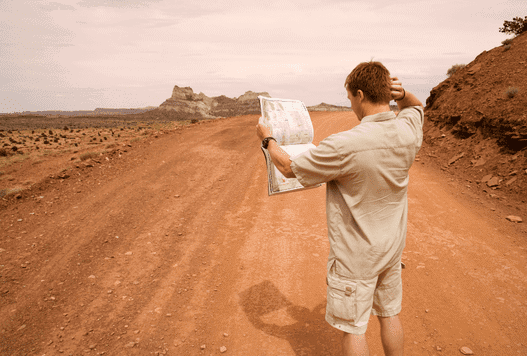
x=476, y=123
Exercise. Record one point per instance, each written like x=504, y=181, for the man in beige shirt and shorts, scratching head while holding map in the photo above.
x=366, y=171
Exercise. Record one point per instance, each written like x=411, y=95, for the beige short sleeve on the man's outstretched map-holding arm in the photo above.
x=318, y=165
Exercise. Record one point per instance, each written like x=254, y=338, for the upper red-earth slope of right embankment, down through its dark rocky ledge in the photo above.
x=487, y=97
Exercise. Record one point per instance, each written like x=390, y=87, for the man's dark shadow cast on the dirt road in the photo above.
x=309, y=335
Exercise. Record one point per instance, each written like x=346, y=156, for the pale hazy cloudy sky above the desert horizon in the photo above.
x=87, y=54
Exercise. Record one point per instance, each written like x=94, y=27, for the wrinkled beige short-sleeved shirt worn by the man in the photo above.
x=366, y=170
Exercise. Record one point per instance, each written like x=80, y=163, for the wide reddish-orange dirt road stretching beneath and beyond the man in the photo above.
x=175, y=248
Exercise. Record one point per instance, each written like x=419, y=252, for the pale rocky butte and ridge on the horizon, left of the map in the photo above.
x=188, y=104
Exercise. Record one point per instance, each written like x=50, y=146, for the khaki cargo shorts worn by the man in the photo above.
x=350, y=302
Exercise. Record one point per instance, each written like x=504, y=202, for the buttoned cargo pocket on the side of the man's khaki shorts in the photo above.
x=341, y=299
